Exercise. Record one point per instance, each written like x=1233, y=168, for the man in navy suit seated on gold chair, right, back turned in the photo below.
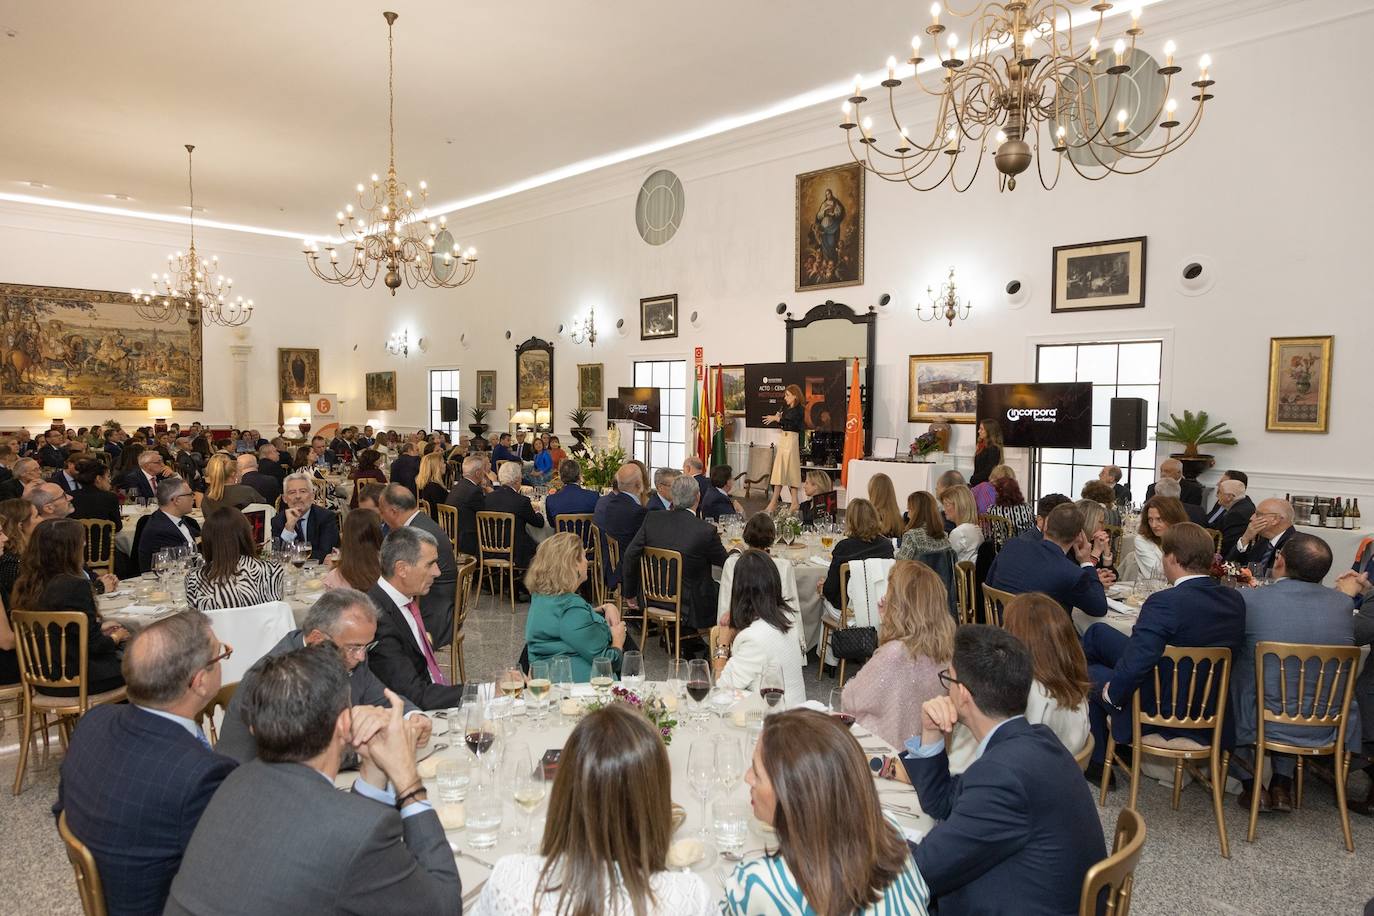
x=1197, y=612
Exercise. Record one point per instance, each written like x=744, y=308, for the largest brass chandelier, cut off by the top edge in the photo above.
x=1027, y=72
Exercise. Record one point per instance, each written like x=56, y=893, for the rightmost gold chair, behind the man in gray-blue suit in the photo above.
x=1314, y=693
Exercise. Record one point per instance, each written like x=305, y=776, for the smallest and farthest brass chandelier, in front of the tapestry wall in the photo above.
x=192, y=289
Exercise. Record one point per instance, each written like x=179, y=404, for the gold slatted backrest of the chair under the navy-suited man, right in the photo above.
x=1192, y=685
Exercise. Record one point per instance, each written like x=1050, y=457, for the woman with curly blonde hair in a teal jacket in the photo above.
x=561, y=623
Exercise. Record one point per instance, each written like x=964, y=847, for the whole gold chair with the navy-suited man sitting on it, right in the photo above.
x=1196, y=701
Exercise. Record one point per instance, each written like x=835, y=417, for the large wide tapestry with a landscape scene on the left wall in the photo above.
x=93, y=347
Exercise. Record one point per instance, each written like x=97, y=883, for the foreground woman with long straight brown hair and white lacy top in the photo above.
x=607, y=837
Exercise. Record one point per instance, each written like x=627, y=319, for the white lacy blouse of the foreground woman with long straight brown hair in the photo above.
x=510, y=892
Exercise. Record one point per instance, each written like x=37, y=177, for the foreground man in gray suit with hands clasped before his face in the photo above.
x=278, y=837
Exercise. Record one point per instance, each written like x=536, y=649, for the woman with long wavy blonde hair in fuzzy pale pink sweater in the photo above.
x=916, y=642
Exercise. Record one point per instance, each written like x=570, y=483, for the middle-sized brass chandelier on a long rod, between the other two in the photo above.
x=388, y=231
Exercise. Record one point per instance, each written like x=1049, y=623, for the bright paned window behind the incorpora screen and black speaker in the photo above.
x=1116, y=369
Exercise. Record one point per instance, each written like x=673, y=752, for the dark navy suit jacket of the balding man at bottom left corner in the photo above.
x=134, y=786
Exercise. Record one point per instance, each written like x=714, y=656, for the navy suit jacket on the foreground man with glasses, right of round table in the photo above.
x=1017, y=830
